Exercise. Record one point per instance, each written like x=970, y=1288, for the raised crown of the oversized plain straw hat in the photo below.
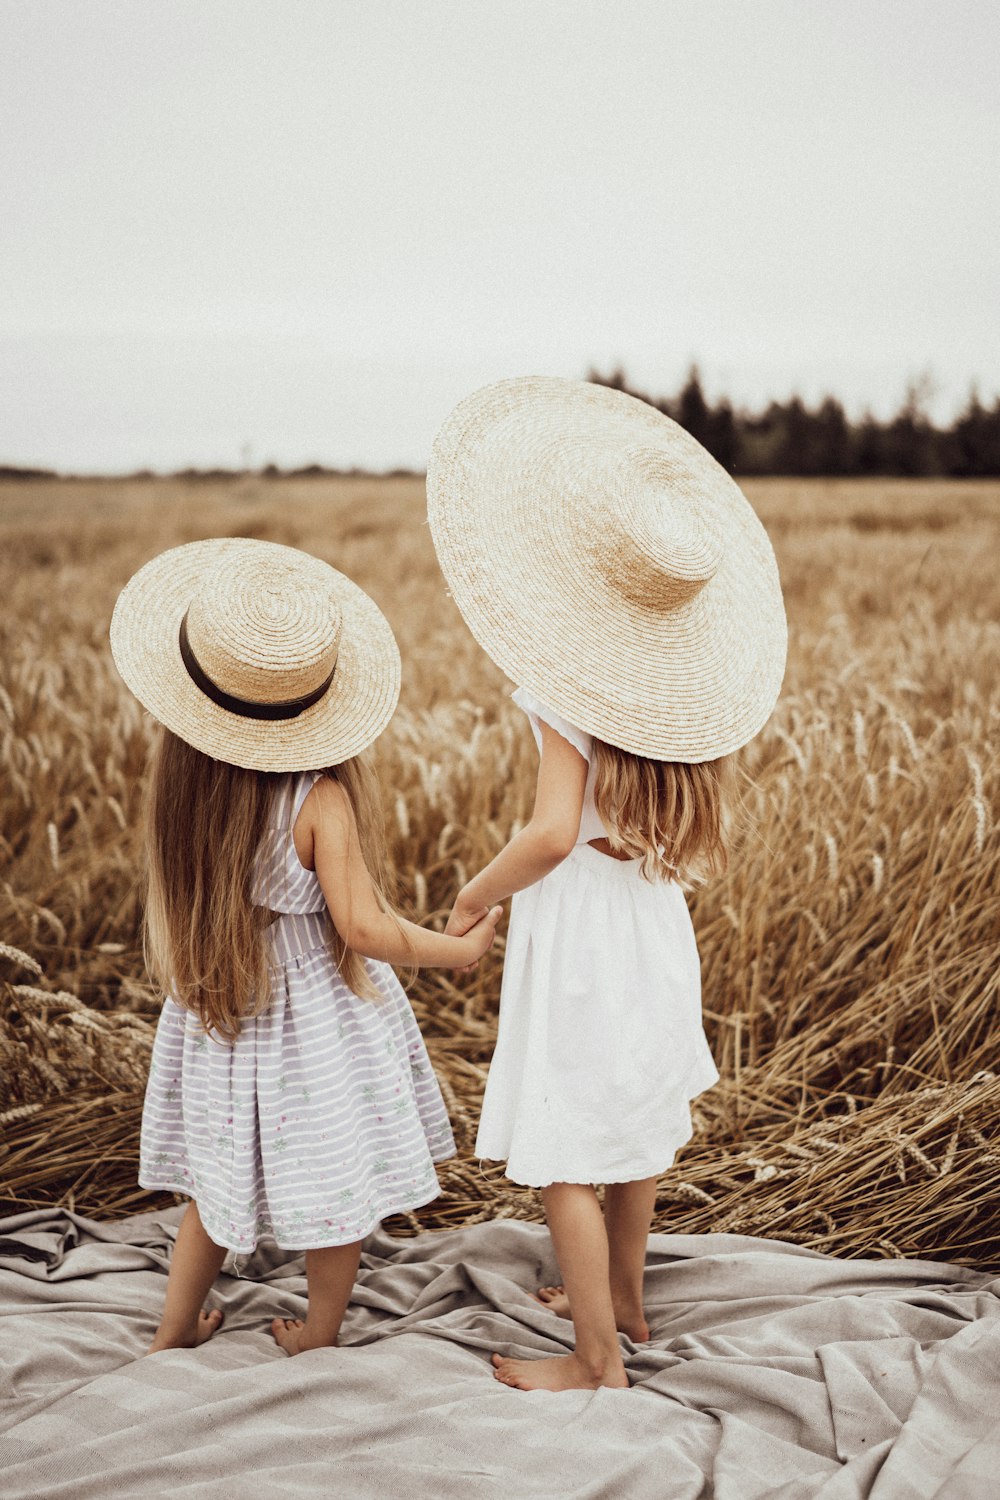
x=657, y=547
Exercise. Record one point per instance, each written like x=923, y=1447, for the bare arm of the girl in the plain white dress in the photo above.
x=539, y=848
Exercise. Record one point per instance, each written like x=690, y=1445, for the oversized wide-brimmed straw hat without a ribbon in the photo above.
x=609, y=565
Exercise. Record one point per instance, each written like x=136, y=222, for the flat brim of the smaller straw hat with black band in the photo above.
x=146, y=646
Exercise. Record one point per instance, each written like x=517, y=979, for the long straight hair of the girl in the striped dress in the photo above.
x=205, y=937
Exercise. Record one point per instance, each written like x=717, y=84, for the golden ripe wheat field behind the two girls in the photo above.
x=849, y=958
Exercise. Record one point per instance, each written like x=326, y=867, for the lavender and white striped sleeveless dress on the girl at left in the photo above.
x=325, y=1115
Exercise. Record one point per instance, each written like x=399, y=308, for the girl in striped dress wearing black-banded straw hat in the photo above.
x=290, y=1091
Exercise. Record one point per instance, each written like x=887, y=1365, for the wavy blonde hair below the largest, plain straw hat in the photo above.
x=674, y=817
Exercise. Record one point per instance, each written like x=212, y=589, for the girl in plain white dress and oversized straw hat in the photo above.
x=606, y=562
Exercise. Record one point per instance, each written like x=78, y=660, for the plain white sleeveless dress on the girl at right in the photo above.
x=600, y=1046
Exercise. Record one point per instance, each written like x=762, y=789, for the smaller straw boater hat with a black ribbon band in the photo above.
x=259, y=655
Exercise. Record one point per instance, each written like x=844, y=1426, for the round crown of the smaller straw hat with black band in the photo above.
x=266, y=635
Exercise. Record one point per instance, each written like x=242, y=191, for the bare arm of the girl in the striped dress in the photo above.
x=328, y=836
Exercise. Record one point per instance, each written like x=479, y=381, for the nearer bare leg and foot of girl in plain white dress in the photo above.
x=581, y=1244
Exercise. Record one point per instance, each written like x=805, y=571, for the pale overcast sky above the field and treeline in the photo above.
x=313, y=226
